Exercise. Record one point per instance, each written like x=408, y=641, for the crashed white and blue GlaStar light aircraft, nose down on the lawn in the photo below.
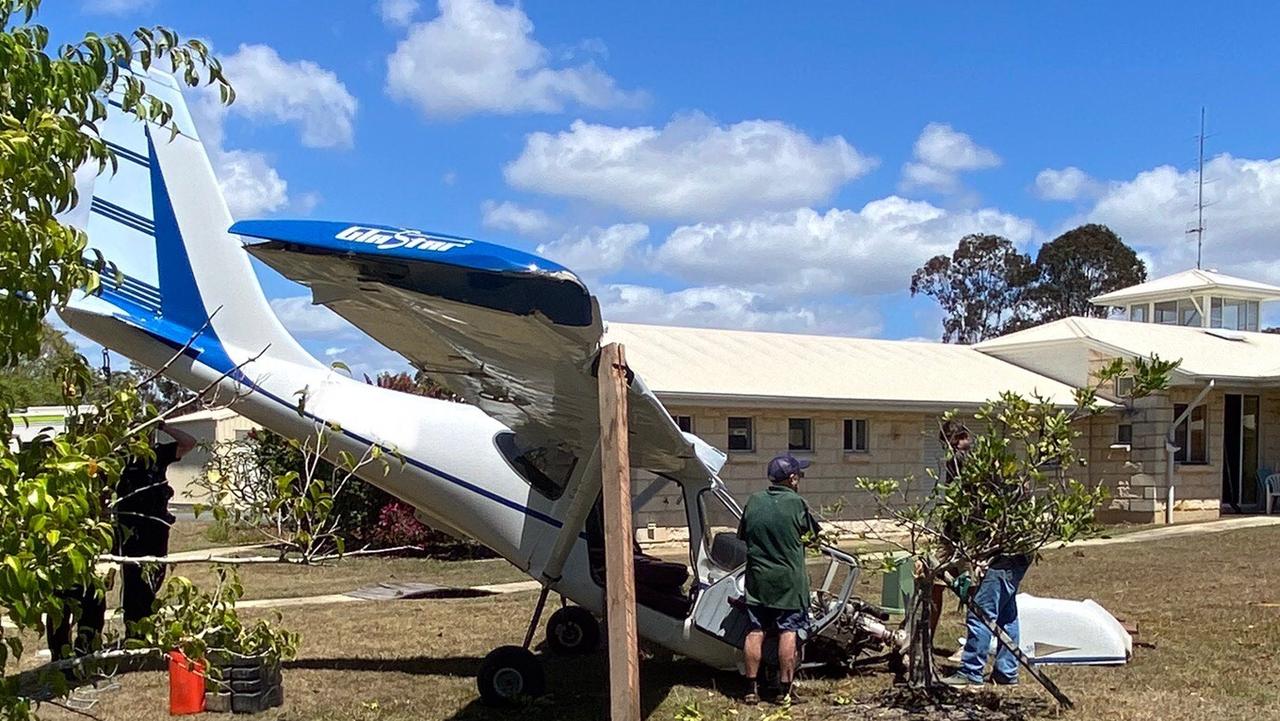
x=515, y=336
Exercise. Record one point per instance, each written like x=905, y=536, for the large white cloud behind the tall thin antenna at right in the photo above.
x=1154, y=211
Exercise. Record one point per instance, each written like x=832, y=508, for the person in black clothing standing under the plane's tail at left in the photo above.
x=143, y=524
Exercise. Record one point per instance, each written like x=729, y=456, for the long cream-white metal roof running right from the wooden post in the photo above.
x=726, y=367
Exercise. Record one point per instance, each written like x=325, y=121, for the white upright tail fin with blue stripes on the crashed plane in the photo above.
x=162, y=220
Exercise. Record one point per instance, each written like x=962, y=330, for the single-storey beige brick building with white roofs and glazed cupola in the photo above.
x=870, y=408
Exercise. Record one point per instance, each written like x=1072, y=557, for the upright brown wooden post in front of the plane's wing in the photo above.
x=620, y=587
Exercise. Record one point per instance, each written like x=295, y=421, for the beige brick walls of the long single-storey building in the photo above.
x=900, y=448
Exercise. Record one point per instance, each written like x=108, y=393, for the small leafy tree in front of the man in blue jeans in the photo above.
x=1009, y=492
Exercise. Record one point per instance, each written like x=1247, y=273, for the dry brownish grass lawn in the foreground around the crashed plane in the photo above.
x=1209, y=604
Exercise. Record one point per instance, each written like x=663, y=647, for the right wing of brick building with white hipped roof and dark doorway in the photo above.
x=1219, y=422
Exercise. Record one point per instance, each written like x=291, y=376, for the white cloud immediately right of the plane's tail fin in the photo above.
x=273, y=90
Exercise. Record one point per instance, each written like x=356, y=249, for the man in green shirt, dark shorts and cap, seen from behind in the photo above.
x=775, y=528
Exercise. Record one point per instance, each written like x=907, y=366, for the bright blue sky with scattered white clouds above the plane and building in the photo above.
x=728, y=165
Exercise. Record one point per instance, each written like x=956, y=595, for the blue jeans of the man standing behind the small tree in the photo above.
x=996, y=599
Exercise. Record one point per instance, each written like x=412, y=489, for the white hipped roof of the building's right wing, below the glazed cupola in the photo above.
x=1205, y=353
